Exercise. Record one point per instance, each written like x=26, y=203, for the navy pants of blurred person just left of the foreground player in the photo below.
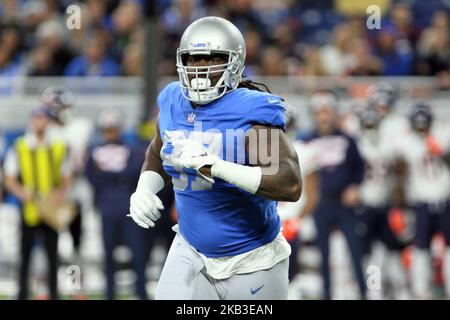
x=118, y=229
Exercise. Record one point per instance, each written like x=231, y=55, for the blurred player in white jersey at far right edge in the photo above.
x=425, y=176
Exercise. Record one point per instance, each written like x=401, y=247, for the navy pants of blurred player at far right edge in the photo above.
x=430, y=219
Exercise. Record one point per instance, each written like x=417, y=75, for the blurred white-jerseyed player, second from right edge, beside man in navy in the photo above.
x=375, y=195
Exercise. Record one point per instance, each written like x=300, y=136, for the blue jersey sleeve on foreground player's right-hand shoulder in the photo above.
x=268, y=110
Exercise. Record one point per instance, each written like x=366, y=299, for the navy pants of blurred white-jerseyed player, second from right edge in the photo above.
x=376, y=221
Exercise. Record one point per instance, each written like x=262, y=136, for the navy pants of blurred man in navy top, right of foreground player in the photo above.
x=330, y=214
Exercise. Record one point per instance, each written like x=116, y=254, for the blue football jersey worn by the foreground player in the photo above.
x=218, y=219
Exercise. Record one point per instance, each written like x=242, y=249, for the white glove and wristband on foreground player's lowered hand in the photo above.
x=144, y=203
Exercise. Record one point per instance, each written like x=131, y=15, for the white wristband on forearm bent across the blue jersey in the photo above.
x=244, y=177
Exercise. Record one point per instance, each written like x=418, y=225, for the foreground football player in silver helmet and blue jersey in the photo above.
x=221, y=141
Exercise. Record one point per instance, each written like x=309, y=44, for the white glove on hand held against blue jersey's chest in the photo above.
x=194, y=155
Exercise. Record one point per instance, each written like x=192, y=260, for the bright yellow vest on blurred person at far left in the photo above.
x=40, y=171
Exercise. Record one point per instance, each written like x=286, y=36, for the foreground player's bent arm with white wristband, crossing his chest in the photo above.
x=273, y=175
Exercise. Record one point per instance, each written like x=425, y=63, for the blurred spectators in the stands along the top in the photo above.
x=283, y=37
